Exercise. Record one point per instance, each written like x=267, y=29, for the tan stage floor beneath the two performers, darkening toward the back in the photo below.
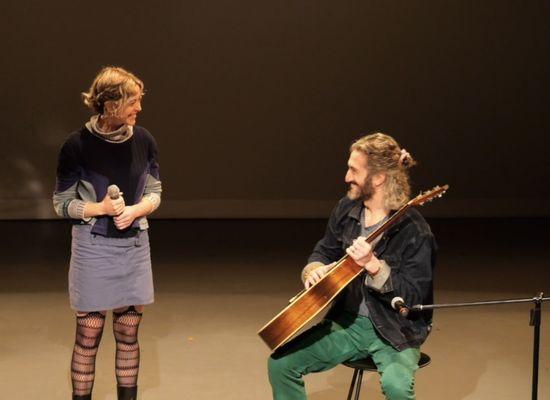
x=218, y=282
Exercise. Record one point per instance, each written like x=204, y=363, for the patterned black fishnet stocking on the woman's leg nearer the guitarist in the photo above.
x=125, y=328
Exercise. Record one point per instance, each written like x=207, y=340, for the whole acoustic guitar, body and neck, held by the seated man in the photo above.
x=309, y=303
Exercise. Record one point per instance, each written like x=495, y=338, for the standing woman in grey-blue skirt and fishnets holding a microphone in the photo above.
x=107, y=182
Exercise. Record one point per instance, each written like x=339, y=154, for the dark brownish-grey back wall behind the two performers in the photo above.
x=254, y=103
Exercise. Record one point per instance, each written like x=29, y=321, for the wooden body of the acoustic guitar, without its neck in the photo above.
x=309, y=304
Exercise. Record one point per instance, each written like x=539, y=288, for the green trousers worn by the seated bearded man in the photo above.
x=349, y=337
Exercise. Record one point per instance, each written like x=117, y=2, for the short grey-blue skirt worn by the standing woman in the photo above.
x=108, y=273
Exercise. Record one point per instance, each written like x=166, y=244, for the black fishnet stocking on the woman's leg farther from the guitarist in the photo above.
x=89, y=329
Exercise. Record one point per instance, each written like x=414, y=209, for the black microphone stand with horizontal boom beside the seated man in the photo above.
x=535, y=322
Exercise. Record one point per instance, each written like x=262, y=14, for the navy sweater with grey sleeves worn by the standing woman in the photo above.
x=88, y=164
